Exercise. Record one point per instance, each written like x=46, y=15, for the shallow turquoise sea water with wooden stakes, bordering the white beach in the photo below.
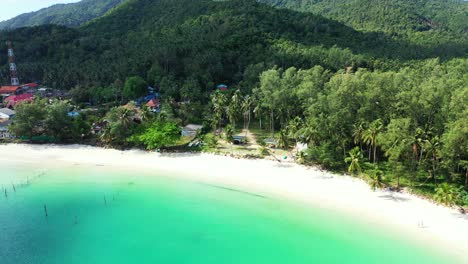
x=96, y=215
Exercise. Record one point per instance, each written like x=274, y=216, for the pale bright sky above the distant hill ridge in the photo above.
x=12, y=8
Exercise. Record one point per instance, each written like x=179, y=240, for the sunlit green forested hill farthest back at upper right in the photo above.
x=388, y=15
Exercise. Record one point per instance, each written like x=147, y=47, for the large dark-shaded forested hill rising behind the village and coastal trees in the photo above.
x=202, y=42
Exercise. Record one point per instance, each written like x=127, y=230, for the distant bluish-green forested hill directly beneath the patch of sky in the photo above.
x=71, y=15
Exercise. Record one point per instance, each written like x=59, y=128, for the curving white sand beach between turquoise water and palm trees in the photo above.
x=442, y=227
